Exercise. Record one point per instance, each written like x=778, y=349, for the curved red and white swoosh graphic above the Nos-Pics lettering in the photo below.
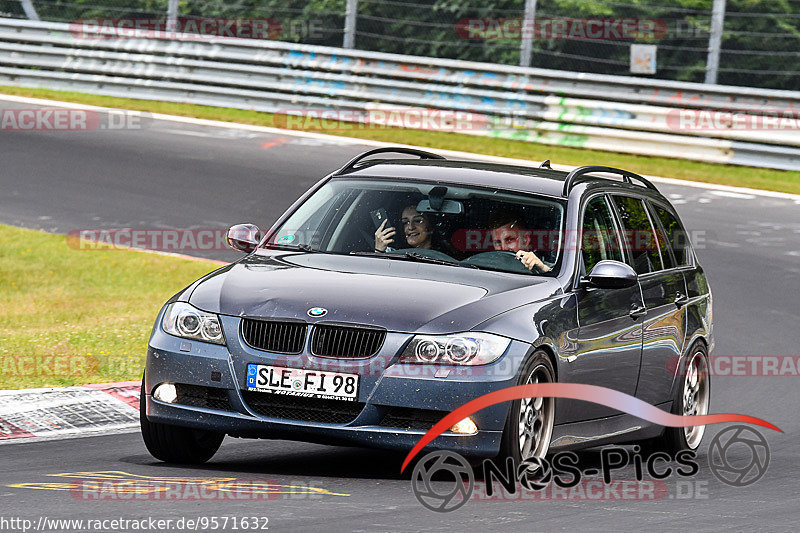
x=588, y=393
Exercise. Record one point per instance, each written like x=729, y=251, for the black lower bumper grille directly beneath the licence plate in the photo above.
x=303, y=409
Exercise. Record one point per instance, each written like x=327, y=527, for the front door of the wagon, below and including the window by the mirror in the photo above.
x=609, y=340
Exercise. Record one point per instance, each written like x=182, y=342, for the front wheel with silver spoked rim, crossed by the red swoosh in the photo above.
x=539, y=414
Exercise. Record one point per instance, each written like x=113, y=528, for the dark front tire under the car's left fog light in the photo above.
x=174, y=444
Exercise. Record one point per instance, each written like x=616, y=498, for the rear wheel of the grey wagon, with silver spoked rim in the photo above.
x=692, y=397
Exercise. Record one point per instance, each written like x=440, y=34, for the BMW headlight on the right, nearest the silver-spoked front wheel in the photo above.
x=458, y=349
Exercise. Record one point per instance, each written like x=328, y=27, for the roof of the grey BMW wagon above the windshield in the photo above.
x=533, y=180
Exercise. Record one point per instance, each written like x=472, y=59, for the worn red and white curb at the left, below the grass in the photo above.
x=67, y=412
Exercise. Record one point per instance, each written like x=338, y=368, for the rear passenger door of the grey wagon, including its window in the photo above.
x=664, y=292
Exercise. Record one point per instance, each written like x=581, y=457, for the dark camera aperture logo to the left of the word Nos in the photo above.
x=454, y=488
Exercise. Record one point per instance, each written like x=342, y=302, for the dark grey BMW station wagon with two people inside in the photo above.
x=398, y=288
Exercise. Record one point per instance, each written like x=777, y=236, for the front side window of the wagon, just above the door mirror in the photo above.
x=599, y=239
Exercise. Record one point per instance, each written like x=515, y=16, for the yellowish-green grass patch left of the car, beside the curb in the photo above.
x=72, y=316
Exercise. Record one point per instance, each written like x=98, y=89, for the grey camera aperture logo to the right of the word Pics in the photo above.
x=736, y=440
